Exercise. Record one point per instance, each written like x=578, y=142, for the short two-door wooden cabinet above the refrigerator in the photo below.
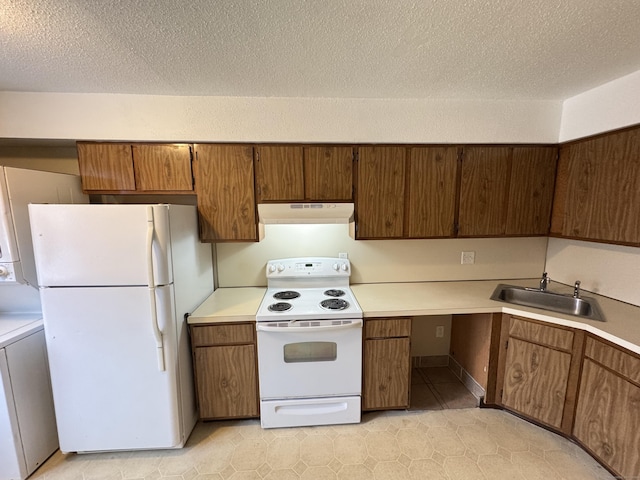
x=135, y=168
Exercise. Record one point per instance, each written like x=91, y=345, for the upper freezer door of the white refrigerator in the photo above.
x=95, y=245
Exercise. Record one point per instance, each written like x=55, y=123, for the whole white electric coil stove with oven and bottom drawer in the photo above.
x=309, y=330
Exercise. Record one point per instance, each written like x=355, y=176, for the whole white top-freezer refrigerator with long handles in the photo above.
x=116, y=283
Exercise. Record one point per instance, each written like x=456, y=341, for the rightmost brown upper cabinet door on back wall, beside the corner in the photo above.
x=533, y=173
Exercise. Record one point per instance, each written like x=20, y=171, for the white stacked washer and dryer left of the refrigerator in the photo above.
x=28, y=434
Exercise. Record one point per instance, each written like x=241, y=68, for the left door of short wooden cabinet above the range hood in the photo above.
x=279, y=173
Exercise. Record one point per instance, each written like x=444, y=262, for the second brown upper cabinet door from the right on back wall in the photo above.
x=484, y=191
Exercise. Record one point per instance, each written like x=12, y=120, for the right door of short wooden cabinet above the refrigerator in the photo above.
x=161, y=168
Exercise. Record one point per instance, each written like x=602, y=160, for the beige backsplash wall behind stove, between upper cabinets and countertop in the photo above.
x=379, y=261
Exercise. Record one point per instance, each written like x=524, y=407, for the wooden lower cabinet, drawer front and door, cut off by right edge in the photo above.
x=608, y=410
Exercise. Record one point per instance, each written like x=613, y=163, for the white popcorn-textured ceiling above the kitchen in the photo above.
x=455, y=49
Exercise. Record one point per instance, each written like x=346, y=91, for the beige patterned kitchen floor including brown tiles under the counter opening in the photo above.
x=439, y=438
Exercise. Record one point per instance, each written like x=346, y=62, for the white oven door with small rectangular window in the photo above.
x=315, y=358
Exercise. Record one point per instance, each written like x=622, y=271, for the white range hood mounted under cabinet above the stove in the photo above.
x=305, y=213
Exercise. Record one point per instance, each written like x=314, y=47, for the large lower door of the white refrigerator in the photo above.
x=108, y=391
